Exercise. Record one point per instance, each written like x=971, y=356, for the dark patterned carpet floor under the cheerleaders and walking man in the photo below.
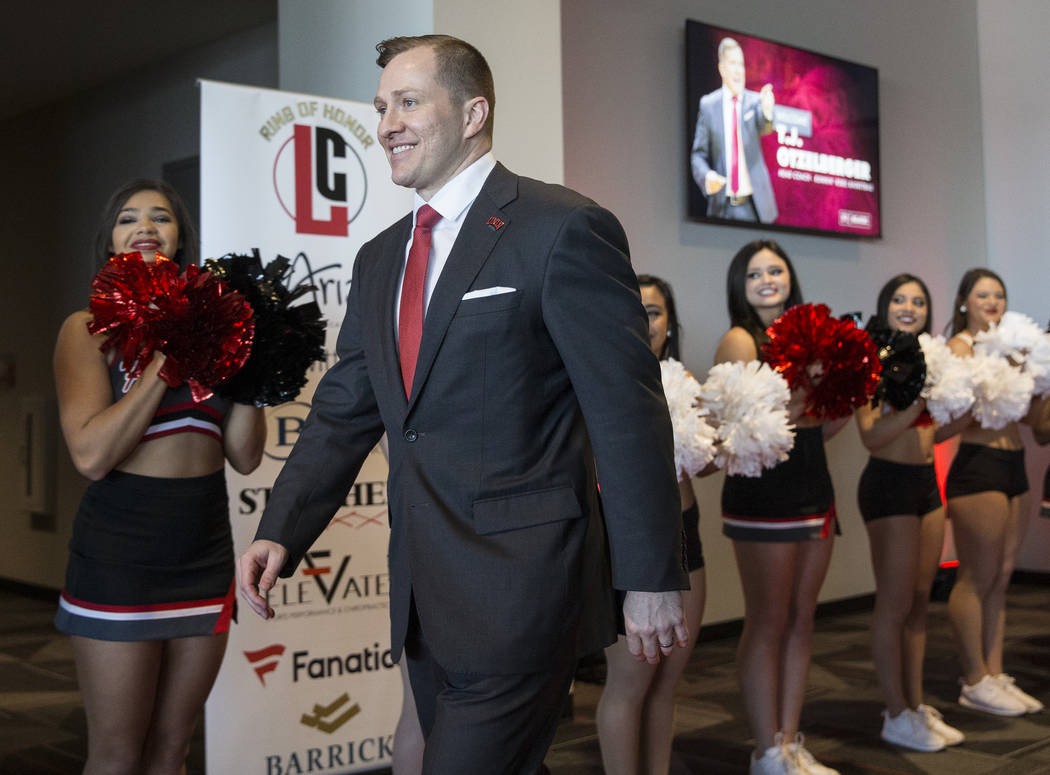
x=43, y=728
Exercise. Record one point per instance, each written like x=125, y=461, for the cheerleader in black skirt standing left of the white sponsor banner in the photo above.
x=150, y=589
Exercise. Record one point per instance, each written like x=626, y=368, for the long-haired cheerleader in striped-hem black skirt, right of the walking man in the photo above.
x=783, y=528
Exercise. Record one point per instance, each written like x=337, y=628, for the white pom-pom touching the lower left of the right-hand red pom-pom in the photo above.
x=748, y=404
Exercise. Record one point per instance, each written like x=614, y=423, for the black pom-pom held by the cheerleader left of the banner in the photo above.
x=288, y=339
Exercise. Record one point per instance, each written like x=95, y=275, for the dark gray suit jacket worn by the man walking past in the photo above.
x=496, y=526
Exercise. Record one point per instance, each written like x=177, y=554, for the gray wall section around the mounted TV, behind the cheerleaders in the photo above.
x=626, y=145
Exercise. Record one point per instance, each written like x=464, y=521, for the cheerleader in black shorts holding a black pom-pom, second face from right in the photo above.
x=901, y=506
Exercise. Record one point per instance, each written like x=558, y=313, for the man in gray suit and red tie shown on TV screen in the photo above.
x=727, y=157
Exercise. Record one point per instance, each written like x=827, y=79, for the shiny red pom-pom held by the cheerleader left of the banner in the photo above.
x=204, y=330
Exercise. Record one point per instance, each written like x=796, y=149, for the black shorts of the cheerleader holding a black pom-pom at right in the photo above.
x=889, y=490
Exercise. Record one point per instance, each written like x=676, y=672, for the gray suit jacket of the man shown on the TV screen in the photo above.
x=710, y=154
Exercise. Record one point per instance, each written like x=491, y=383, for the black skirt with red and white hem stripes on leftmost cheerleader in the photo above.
x=151, y=559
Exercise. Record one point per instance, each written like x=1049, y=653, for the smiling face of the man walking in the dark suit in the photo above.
x=428, y=138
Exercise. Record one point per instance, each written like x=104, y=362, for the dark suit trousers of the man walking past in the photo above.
x=498, y=725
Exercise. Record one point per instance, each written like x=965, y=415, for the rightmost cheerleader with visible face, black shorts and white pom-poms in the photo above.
x=988, y=494
